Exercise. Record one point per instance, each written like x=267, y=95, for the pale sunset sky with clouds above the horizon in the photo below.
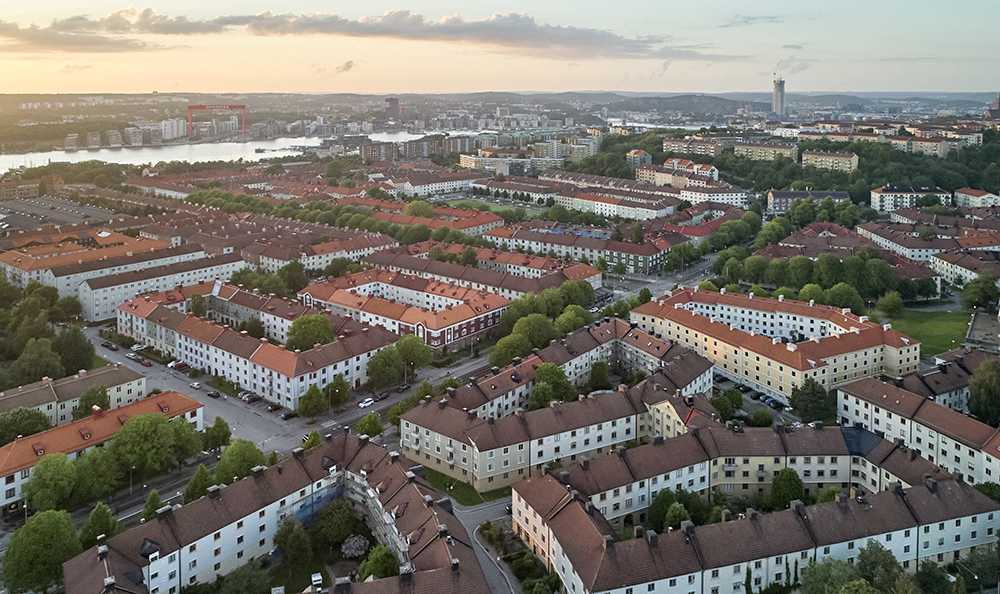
x=432, y=46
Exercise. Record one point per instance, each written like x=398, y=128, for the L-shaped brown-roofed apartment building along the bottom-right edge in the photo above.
x=932, y=522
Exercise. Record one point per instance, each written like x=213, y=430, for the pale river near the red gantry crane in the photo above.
x=216, y=151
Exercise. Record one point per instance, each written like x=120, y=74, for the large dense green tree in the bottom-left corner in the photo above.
x=36, y=552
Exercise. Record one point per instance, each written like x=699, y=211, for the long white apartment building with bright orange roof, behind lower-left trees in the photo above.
x=73, y=438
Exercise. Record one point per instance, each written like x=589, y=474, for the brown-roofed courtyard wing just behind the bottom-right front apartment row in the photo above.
x=739, y=461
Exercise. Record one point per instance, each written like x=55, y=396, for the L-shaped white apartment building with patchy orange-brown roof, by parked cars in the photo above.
x=279, y=375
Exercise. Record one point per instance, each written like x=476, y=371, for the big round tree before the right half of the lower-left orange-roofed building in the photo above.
x=144, y=443
